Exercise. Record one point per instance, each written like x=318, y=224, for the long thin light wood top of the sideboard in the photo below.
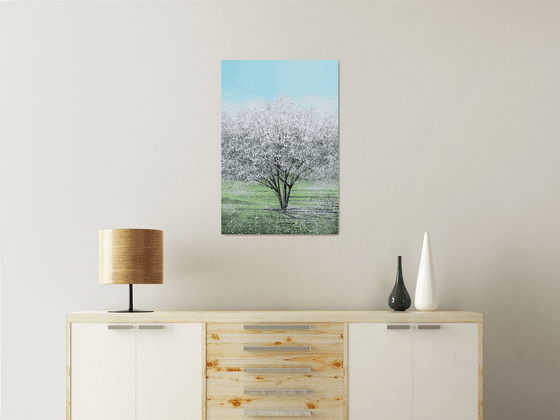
x=276, y=316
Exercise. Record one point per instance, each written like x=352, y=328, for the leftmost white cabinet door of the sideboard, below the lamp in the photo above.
x=102, y=372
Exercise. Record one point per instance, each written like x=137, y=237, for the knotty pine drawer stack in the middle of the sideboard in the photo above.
x=272, y=369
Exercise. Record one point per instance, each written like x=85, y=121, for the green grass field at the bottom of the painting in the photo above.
x=253, y=209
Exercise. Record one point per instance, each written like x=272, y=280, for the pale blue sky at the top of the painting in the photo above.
x=311, y=82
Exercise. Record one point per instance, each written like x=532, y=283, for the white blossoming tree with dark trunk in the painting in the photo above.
x=279, y=144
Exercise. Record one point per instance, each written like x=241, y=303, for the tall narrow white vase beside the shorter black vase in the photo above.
x=426, y=298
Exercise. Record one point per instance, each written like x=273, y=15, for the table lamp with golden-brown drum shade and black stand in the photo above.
x=130, y=256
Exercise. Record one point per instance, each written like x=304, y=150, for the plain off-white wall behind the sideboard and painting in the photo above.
x=449, y=123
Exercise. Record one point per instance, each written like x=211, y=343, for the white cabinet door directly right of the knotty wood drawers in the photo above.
x=379, y=372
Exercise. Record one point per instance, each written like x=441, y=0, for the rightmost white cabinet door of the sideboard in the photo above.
x=446, y=372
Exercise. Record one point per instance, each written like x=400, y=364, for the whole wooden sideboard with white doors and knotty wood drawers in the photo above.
x=222, y=365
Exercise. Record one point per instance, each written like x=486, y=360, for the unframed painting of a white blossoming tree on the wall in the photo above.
x=280, y=147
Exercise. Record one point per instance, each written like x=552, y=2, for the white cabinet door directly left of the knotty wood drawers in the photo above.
x=169, y=371
